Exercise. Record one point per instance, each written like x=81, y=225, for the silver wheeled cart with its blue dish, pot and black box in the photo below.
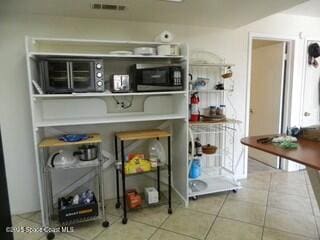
x=82, y=207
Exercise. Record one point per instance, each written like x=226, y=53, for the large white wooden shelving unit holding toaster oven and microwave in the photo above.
x=83, y=111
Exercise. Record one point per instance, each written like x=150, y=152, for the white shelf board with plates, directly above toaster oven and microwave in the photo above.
x=100, y=55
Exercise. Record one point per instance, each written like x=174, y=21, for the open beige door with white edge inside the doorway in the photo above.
x=267, y=71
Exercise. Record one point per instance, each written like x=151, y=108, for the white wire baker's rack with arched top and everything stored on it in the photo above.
x=211, y=133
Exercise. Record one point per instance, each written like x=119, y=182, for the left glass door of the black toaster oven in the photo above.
x=57, y=79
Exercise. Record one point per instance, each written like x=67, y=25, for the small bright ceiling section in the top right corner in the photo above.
x=310, y=8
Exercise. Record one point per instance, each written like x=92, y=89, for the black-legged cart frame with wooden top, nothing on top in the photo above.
x=120, y=169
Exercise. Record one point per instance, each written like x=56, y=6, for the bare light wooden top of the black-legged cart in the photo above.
x=143, y=134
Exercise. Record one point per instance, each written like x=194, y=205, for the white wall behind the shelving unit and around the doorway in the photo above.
x=14, y=115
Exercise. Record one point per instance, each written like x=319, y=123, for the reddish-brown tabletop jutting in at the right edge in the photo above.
x=307, y=153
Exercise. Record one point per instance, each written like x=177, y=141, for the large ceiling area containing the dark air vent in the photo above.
x=217, y=13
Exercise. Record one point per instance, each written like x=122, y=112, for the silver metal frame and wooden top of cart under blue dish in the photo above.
x=49, y=209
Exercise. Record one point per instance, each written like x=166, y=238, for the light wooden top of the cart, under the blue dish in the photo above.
x=55, y=142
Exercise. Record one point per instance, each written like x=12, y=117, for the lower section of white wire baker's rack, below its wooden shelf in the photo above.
x=218, y=169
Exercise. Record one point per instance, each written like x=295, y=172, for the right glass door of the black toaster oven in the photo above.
x=82, y=76
